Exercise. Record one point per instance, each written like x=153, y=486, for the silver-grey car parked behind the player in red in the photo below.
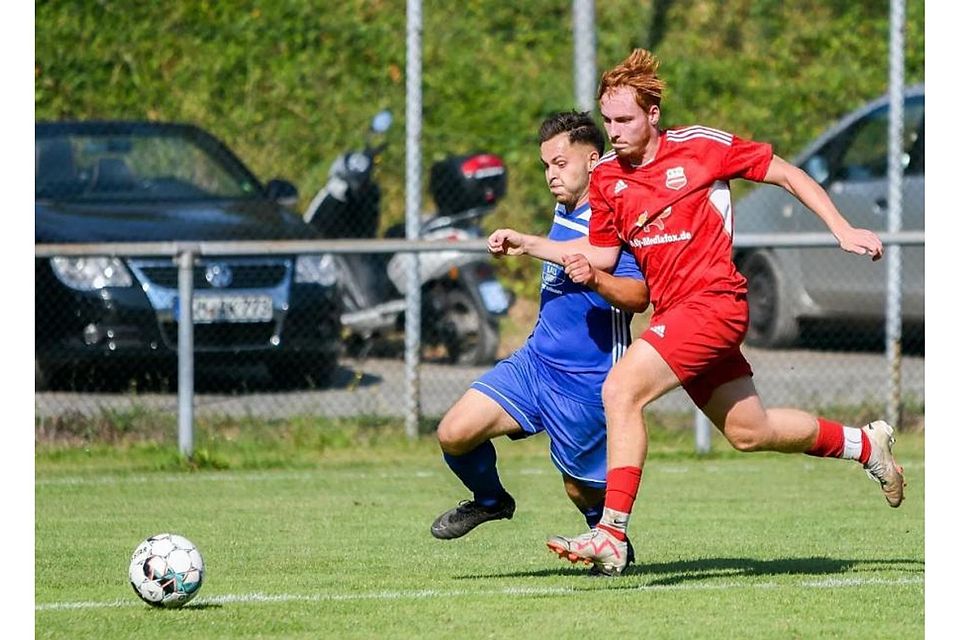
x=788, y=287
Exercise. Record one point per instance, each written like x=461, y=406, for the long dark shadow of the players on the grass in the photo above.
x=684, y=571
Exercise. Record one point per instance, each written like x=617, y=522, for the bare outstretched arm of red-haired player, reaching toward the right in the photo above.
x=805, y=189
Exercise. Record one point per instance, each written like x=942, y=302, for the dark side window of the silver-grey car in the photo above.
x=864, y=155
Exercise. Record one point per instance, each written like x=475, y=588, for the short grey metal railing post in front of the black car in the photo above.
x=185, y=261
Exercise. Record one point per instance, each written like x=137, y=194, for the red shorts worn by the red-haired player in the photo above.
x=700, y=339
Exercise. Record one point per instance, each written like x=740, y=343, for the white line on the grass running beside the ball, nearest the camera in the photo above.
x=430, y=594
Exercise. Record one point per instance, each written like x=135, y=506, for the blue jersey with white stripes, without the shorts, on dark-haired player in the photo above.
x=577, y=330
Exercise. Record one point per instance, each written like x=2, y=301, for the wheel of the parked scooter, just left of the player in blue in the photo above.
x=468, y=335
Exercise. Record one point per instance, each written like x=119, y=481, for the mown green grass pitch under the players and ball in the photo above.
x=335, y=544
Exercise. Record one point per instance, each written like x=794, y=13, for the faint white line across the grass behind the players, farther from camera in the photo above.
x=258, y=476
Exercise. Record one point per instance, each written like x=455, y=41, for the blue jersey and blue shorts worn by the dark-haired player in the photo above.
x=553, y=383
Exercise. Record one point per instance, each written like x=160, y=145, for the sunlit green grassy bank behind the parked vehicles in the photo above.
x=291, y=83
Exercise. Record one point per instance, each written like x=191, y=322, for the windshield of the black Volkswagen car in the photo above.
x=141, y=166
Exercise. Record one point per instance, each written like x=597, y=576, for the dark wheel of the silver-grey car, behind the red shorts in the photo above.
x=772, y=323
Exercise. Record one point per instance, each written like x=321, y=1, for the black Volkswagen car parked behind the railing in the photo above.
x=116, y=181
